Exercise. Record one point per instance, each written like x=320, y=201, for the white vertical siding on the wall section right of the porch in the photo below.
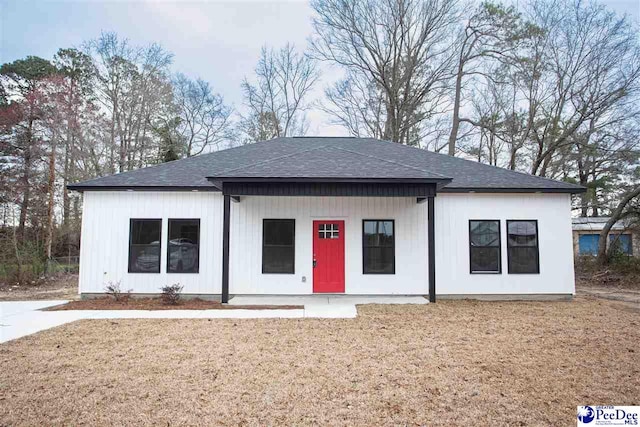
x=553, y=213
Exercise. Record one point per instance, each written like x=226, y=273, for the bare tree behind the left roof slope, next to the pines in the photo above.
x=203, y=116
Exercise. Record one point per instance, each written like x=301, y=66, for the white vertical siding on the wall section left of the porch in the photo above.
x=104, y=250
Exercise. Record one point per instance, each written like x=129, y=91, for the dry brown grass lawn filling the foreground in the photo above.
x=455, y=362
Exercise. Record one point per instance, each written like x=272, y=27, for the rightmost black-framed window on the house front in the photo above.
x=522, y=247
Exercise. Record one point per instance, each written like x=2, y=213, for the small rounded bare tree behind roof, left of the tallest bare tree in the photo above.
x=278, y=99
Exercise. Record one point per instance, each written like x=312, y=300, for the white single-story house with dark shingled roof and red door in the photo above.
x=307, y=215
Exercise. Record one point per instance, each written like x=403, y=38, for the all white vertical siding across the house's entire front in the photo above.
x=105, y=242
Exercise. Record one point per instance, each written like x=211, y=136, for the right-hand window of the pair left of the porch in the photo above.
x=183, y=246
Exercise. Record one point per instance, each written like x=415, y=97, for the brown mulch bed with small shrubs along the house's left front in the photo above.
x=108, y=303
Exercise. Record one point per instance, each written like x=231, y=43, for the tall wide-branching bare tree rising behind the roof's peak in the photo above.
x=397, y=51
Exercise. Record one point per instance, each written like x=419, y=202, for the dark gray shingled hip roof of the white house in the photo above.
x=327, y=158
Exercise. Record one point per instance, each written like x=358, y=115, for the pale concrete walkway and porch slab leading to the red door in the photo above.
x=21, y=318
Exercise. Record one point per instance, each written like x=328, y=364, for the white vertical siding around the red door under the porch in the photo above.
x=410, y=242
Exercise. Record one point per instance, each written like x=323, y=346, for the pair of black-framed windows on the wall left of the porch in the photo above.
x=145, y=248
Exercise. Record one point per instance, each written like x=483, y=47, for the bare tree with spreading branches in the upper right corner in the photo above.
x=584, y=63
